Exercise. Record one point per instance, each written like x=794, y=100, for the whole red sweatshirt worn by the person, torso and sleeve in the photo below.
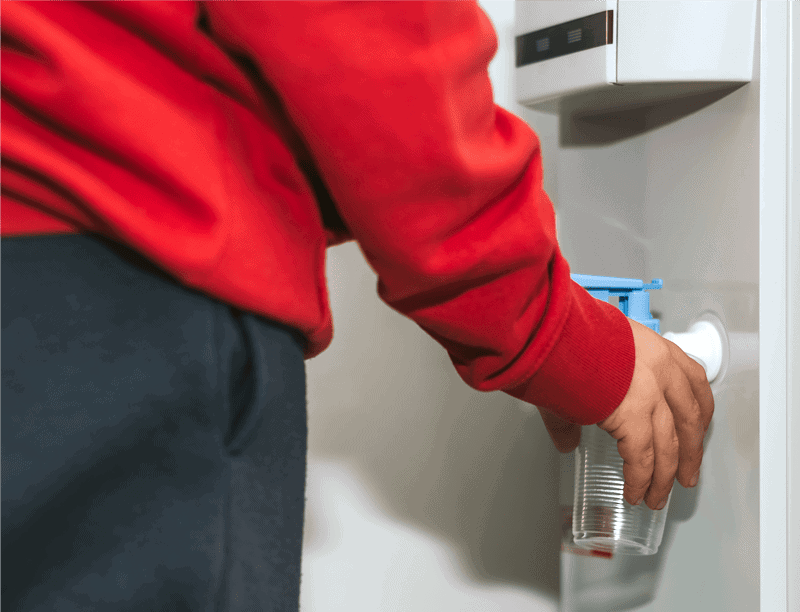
x=232, y=142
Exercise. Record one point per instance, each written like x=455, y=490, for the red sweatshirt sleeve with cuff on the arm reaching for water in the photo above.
x=441, y=188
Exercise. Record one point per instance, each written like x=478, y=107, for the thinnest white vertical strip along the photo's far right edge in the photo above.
x=793, y=318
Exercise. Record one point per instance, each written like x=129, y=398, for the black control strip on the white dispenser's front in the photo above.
x=569, y=37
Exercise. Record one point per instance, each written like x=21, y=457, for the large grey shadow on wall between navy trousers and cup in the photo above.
x=474, y=470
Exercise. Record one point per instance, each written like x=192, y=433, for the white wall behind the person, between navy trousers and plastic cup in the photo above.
x=423, y=494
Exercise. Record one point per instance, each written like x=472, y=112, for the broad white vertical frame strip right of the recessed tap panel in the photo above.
x=773, y=306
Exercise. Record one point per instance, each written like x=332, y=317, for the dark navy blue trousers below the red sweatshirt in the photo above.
x=153, y=439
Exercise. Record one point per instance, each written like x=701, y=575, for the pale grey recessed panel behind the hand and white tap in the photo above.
x=677, y=199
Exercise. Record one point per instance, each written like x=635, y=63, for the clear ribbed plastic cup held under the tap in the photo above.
x=602, y=520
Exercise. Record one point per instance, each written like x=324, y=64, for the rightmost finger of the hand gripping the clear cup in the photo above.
x=690, y=425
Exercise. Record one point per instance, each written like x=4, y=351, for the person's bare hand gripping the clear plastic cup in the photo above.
x=660, y=424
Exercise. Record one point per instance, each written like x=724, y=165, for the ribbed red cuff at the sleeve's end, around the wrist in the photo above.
x=588, y=372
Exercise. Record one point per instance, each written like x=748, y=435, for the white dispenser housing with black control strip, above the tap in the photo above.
x=599, y=56
